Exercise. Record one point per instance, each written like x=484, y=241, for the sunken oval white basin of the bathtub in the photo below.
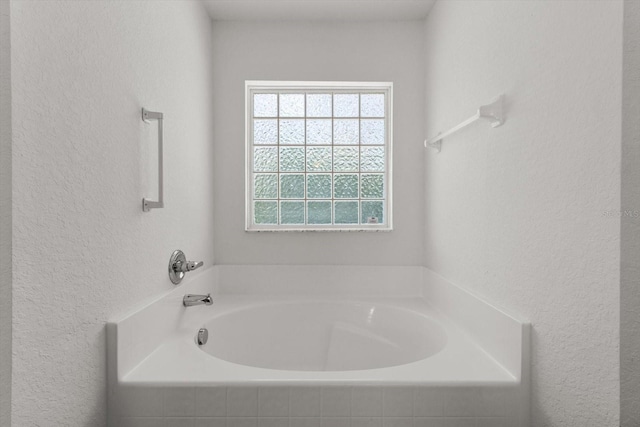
x=323, y=336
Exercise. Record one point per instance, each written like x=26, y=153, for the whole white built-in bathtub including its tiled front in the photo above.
x=391, y=356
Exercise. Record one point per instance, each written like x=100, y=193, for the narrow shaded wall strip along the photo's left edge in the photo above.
x=5, y=215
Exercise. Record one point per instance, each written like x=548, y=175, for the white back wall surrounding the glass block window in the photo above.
x=318, y=51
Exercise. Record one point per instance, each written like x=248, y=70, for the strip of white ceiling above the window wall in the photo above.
x=318, y=10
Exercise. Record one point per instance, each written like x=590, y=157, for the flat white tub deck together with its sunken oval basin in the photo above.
x=405, y=341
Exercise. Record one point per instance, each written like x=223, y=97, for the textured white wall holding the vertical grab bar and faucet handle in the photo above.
x=82, y=161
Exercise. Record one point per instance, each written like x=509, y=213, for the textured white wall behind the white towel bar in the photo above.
x=526, y=214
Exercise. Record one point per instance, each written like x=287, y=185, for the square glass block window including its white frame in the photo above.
x=318, y=156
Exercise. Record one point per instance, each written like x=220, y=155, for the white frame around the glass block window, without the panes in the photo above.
x=252, y=86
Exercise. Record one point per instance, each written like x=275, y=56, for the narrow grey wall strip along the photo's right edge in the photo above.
x=630, y=221
